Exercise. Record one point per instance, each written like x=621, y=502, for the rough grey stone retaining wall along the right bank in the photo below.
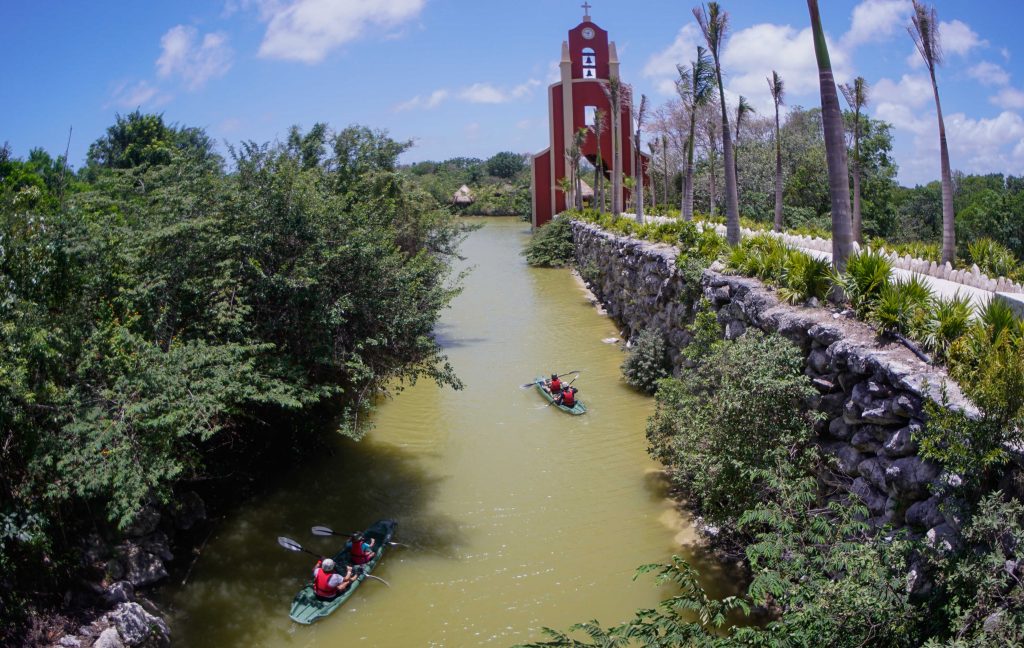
x=872, y=394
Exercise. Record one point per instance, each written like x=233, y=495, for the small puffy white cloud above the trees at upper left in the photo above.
x=195, y=62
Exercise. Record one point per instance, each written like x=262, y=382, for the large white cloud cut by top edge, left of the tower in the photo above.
x=308, y=30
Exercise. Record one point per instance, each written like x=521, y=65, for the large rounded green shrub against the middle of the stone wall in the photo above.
x=741, y=411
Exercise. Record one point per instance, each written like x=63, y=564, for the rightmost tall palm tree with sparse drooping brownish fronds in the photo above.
x=925, y=32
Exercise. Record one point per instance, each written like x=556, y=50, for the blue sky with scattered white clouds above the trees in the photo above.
x=468, y=77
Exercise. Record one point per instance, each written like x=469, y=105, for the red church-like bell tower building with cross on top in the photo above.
x=589, y=60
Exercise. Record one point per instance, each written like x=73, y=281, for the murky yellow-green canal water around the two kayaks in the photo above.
x=519, y=515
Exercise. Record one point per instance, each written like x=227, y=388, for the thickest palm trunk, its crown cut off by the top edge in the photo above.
x=832, y=121
